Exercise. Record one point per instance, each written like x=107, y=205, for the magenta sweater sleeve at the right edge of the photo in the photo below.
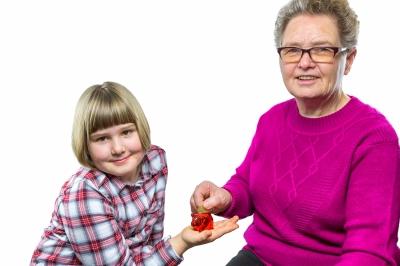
x=373, y=205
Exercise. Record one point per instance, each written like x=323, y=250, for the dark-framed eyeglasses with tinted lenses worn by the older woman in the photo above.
x=317, y=54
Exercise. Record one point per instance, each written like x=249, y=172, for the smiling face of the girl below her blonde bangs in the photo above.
x=117, y=151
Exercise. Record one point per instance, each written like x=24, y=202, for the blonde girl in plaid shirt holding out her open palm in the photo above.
x=111, y=211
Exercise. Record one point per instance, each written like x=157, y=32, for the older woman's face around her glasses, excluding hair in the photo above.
x=307, y=79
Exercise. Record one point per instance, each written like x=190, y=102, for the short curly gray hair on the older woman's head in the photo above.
x=347, y=21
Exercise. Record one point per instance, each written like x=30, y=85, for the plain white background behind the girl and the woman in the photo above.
x=204, y=71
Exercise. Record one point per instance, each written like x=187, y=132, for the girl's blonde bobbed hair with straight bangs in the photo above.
x=103, y=106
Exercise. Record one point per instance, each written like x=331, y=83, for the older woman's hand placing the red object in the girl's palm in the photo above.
x=211, y=197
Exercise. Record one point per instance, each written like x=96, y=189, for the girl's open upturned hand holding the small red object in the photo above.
x=189, y=238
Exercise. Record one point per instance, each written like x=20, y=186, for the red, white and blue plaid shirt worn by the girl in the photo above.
x=99, y=220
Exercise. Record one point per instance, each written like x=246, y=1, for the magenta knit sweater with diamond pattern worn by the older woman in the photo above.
x=322, y=191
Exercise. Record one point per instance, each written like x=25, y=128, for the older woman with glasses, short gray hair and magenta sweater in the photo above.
x=321, y=177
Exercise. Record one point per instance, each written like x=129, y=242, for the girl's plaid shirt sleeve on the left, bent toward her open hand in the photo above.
x=96, y=238
